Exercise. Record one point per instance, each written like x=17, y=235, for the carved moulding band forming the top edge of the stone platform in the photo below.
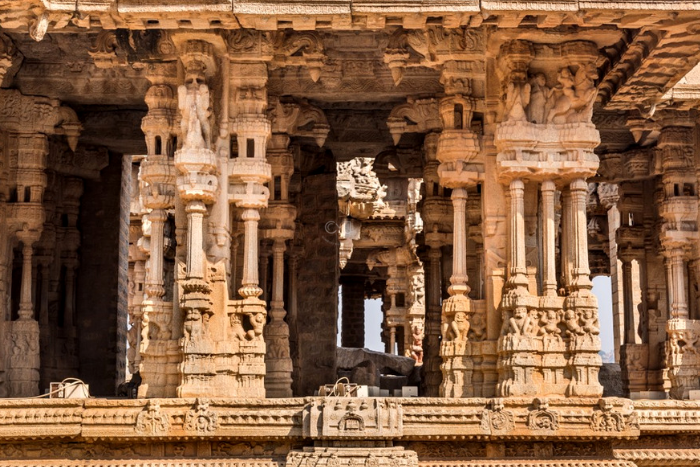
x=414, y=418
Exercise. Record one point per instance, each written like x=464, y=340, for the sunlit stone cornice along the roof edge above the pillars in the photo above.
x=338, y=14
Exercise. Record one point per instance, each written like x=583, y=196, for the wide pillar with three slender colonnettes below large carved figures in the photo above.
x=548, y=343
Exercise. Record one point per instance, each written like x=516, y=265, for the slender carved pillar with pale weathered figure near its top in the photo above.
x=197, y=185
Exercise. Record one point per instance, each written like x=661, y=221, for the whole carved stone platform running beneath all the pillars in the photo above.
x=348, y=431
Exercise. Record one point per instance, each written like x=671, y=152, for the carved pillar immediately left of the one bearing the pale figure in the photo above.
x=155, y=319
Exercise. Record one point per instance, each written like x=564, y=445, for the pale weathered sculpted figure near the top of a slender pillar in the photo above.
x=195, y=108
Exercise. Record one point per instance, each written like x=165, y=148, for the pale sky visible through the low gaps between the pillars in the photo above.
x=601, y=288
